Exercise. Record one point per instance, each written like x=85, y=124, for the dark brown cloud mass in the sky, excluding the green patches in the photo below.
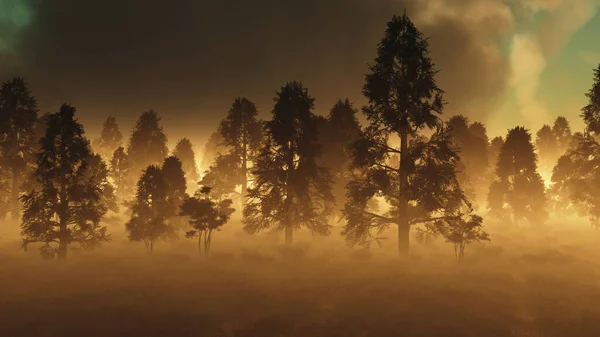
x=189, y=59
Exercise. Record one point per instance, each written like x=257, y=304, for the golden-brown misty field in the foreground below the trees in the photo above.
x=523, y=283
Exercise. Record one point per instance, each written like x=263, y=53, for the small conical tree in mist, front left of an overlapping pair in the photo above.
x=148, y=222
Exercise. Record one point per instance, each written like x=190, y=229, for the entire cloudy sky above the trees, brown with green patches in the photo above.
x=501, y=62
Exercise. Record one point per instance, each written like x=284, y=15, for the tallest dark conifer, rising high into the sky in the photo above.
x=403, y=99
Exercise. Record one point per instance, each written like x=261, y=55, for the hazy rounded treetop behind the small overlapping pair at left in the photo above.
x=148, y=143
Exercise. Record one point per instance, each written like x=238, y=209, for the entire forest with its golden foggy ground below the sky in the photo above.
x=372, y=220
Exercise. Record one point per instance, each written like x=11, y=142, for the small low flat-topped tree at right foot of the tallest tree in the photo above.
x=460, y=231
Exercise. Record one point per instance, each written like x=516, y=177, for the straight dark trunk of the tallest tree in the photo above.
x=403, y=224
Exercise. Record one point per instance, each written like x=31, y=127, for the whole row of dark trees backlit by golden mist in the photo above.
x=405, y=168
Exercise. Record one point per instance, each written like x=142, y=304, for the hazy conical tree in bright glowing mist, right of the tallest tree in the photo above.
x=518, y=189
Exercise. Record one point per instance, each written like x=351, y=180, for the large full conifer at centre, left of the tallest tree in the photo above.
x=292, y=190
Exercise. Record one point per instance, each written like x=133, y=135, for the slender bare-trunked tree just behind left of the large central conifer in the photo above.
x=242, y=135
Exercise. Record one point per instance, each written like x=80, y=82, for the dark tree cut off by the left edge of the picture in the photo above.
x=18, y=116
